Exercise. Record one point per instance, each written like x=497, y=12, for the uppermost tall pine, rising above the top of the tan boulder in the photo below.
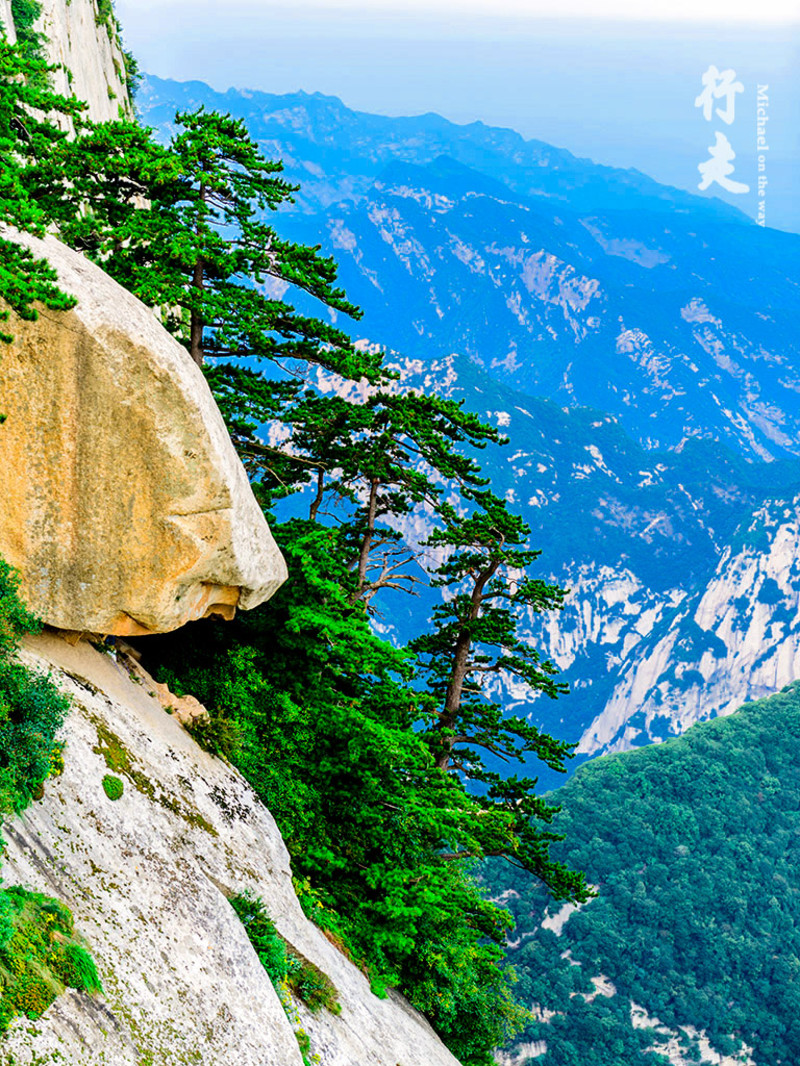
x=183, y=228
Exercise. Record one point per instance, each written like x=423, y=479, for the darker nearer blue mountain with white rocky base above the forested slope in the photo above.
x=660, y=551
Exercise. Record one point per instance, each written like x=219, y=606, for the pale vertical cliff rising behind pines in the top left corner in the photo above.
x=88, y=53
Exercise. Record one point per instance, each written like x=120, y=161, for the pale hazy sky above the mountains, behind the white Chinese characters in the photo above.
x=618, y=89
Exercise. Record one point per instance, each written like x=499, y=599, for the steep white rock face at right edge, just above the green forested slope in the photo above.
x=738, y=640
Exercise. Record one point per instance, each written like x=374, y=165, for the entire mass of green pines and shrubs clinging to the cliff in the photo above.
x=371, y=754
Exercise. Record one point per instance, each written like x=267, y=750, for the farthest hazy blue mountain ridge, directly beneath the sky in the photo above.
x=338, y=153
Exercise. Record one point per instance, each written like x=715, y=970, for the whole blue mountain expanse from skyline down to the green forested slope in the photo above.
x=639, y=347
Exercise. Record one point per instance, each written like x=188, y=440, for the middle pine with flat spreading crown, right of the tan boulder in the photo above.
x=376, y=461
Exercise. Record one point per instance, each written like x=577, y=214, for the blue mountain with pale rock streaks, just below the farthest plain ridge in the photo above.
x=679, y=325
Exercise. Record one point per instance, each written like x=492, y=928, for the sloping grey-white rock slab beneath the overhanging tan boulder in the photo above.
x=148, y=878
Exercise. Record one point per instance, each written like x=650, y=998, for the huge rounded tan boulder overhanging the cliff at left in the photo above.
x=126, y=508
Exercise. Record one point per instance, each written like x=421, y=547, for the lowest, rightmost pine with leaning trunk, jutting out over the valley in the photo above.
x=476, y=638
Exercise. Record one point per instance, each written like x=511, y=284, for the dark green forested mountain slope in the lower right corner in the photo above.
x=693, y=846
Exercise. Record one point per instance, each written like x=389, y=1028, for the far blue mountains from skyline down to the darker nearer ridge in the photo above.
x=582, y=283
